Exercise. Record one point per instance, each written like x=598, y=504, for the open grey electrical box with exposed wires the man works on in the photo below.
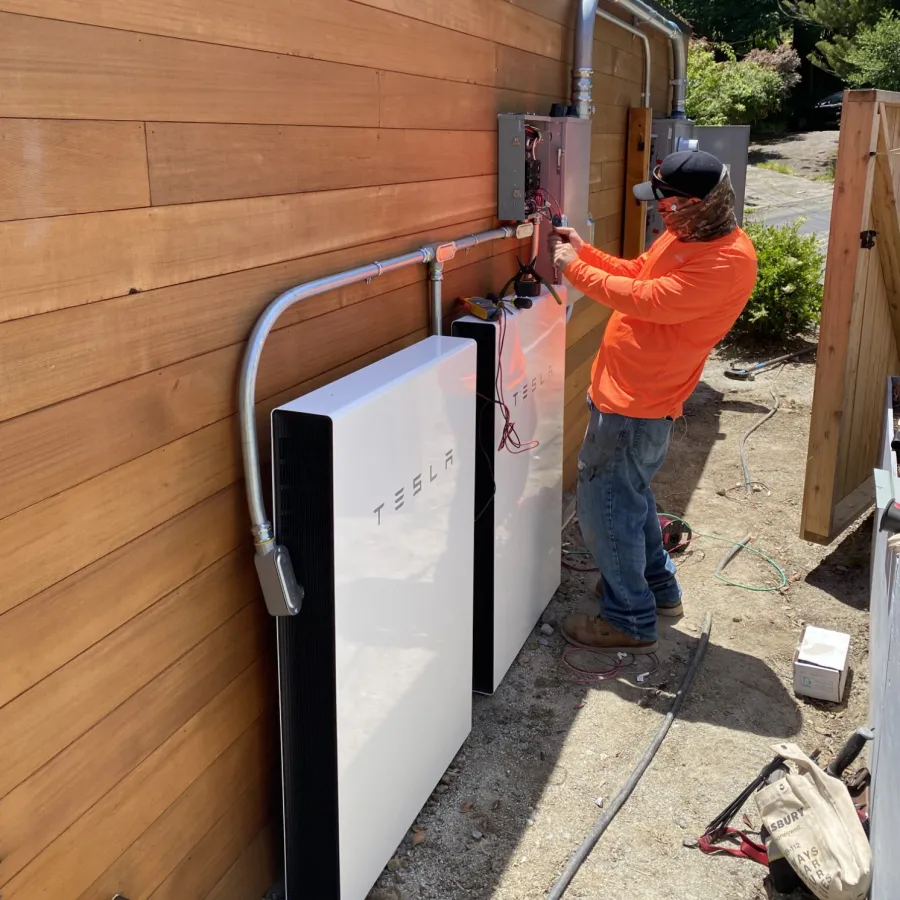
x=544, y=165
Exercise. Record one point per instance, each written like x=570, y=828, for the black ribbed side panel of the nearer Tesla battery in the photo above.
x=304, y=524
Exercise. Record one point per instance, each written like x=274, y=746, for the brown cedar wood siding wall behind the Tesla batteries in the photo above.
x=166, y=168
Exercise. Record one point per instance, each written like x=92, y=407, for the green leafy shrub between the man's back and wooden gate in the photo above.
x=787, y=298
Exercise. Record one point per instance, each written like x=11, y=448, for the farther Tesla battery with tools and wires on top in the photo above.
x=518, y=490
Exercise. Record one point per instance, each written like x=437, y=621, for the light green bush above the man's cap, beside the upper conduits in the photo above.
x=729, y=92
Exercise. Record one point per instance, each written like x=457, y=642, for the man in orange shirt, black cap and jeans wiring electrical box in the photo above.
x=671, y=306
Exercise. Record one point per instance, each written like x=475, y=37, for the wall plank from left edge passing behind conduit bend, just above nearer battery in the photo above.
x=113, y=425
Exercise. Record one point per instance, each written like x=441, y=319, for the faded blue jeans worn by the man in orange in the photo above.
x=618, y=518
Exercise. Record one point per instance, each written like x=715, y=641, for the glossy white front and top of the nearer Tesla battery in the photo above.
x=403, y=488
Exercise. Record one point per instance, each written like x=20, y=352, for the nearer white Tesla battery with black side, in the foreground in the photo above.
x=374, y=480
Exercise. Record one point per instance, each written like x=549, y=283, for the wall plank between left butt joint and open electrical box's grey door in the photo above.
x=194, y=163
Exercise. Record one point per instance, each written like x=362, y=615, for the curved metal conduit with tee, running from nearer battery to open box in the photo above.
x=282, y=593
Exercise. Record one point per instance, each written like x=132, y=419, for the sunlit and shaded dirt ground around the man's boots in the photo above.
x=547, y=748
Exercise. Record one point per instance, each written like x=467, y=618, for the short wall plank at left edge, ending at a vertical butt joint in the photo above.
x=57, y=168
